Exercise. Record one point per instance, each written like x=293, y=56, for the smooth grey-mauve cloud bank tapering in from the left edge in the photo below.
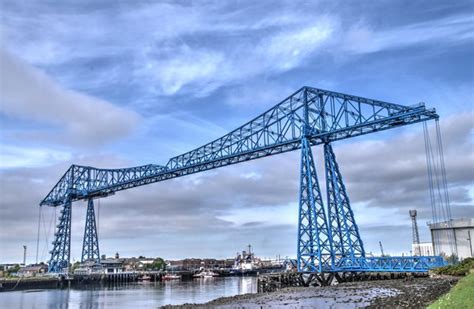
x=27, y=93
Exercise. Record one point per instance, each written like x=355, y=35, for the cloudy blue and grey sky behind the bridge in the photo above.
x=126, y=83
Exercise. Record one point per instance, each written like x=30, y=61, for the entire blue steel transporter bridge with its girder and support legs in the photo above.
x=328, y=239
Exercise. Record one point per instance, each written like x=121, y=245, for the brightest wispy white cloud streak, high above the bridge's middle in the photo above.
x=181, y=67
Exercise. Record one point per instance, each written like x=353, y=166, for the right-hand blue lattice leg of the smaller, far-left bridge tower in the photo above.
x=90, y=245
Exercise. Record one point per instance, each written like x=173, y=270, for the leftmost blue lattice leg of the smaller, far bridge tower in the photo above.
x=61, y=252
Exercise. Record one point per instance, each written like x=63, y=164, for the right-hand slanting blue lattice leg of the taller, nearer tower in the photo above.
x=342, y=225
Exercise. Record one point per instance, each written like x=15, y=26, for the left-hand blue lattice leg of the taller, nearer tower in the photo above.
x=314, y=245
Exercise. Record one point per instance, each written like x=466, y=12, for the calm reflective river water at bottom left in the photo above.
x=136, y=295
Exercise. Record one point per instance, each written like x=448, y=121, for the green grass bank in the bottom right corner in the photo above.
x=459, y=297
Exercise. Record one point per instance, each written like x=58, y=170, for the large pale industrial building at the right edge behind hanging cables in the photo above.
x=453, y=237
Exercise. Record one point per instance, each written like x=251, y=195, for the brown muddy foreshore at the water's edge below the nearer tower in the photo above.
x=401, y=293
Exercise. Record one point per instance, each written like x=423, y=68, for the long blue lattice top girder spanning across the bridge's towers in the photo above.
x=326, y=116
